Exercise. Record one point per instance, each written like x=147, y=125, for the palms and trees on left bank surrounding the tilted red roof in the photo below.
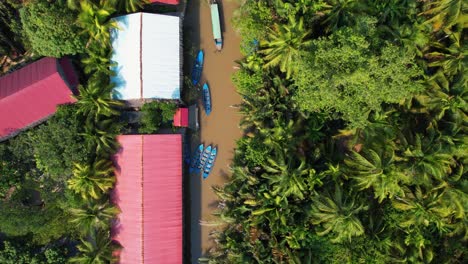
x=55, y=178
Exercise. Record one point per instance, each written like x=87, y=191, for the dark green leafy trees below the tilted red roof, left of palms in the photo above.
x=37, y=165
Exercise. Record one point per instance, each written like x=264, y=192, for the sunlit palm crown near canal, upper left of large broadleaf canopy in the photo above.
x=284, y=43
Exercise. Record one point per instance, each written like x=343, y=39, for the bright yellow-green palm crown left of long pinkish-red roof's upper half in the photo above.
x=92, y=180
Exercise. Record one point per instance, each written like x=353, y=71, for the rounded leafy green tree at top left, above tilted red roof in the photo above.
x=50, y=27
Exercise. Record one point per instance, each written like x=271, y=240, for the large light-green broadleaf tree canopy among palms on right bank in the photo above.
x=348, y=74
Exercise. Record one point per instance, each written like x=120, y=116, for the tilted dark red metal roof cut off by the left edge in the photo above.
x=31, y=94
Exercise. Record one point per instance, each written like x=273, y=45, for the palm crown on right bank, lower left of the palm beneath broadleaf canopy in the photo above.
x=337, y=215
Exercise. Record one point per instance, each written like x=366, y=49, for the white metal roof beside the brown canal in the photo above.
x=147, y=52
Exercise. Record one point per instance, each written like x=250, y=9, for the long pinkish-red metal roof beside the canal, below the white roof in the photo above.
x=149, y=195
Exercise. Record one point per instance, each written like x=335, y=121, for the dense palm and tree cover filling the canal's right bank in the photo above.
x=355, y=152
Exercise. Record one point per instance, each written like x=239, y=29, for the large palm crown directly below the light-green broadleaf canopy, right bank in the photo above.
x=376, y=170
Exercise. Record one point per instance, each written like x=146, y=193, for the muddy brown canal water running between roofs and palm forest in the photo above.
x=221, y=127
